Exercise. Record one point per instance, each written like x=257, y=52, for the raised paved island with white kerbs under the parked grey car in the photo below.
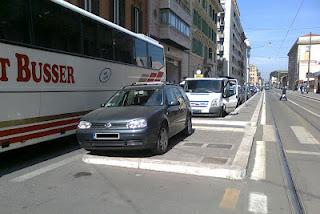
x=217, y=148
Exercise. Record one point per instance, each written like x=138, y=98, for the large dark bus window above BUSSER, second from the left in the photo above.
x=56, y=27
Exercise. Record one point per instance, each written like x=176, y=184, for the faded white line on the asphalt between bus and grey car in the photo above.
x=45, y=169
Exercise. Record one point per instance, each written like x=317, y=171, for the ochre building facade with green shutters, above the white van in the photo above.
x=204, y=34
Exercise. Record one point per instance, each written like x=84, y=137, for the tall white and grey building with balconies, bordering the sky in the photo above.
x=232, y=49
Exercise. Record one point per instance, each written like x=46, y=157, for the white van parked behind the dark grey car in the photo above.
x=215, y=96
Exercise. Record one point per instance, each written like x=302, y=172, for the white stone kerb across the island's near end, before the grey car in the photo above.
x=208, y=170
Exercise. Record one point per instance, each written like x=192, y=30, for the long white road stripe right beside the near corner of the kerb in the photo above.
x=259, y=168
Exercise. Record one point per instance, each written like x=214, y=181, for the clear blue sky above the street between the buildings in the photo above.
x=272, y=30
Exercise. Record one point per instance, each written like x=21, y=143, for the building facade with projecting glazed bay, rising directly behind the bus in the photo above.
x=169, y=22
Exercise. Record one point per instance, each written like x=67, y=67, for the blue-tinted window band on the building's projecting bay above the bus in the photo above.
x=169, y=18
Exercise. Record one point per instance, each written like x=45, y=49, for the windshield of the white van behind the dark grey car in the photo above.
x=203, y=86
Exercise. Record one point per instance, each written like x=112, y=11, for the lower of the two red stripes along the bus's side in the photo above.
x=37, y=135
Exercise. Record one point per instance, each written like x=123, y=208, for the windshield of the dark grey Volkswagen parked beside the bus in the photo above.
x=136, y=97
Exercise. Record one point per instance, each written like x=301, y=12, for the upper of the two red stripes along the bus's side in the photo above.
x=37, y=127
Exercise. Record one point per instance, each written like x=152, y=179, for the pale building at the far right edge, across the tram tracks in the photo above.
x=303, y=56
